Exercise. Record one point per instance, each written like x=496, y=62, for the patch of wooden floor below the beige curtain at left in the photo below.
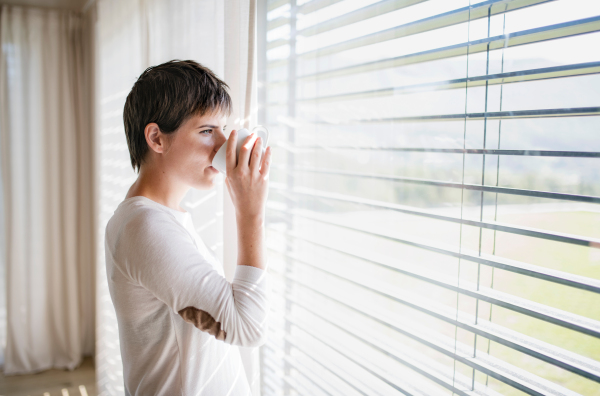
x=79, y=382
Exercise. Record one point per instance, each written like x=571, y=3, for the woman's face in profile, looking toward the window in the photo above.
x=192, y=148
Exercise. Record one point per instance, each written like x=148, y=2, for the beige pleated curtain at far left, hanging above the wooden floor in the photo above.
x=47, y=177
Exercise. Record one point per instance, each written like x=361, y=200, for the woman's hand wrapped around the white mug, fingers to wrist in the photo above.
x=247, y=184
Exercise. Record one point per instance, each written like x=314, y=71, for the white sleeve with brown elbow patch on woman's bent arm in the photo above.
x=165, y=261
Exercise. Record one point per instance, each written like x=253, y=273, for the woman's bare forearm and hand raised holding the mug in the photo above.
x=247, y=182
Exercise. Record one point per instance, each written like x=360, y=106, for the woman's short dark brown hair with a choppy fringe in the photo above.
x=168, y=94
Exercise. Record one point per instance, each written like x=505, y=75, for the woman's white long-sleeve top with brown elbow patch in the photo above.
x=180, y=321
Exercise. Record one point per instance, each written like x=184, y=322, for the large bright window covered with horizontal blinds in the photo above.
x=433, y=219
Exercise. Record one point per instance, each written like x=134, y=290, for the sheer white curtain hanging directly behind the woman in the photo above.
x=131, y=36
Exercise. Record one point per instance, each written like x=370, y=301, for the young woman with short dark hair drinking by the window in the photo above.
x=178, y=316
